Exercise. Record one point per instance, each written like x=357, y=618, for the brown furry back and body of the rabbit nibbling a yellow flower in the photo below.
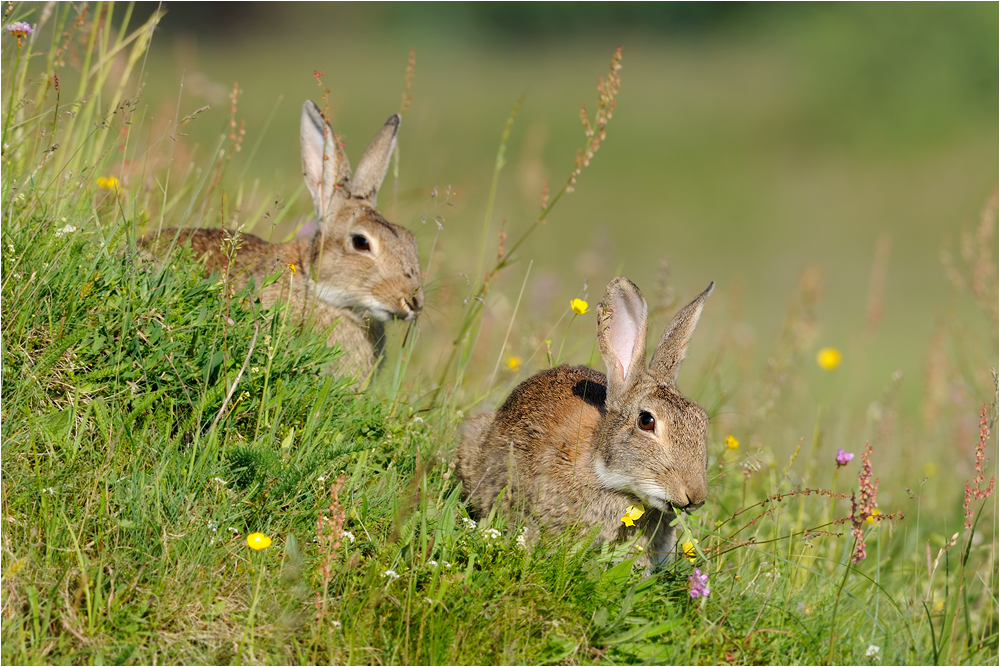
x=538, y=444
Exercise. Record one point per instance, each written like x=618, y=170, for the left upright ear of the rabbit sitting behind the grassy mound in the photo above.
x=323, y=164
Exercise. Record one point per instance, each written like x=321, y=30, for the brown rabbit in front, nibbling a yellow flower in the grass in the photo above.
x=575, y=448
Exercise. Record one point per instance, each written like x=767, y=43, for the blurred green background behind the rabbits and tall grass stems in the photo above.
x=750, y=142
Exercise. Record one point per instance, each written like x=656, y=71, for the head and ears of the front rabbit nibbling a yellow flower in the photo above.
x=651, y=441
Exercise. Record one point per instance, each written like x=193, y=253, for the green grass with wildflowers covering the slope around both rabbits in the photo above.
x=154, y=417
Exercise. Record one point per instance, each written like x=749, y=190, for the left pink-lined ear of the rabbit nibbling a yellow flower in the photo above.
x=621, y=333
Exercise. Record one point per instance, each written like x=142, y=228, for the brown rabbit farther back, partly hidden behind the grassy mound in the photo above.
x=356, y=272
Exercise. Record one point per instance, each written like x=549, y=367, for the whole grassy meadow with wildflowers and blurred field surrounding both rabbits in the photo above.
x=834, y=171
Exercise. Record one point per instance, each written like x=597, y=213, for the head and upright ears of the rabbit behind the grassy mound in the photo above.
x=363, y=262
